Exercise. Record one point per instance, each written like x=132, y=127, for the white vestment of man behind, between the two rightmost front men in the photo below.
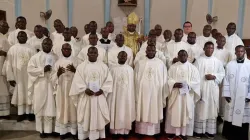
x=224, y=56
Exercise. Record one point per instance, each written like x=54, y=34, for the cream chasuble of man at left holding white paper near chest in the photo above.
x=40, y=85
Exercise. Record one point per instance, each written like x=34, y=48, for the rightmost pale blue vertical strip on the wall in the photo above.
x=241, y=14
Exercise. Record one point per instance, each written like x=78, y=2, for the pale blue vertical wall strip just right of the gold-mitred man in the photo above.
x=147, y=16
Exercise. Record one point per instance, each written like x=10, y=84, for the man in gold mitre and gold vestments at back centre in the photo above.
x=132, y=38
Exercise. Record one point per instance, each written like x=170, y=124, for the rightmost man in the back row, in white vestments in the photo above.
x=232, y=38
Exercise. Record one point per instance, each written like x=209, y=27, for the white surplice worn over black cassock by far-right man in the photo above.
x=236, y=86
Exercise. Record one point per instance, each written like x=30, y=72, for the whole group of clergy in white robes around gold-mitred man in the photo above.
x=128, y=82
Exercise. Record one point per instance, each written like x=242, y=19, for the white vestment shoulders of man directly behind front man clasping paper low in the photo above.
x=83, y=55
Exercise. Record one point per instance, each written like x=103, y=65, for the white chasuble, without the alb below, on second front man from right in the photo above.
x=208, y=106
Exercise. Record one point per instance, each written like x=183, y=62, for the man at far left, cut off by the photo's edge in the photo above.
x=4, y=93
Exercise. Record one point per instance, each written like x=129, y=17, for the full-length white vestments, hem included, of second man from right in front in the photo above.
x=208, y=107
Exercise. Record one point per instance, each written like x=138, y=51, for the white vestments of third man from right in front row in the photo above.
x=181, y=105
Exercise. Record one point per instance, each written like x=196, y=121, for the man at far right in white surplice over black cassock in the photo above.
x=237, y=94
